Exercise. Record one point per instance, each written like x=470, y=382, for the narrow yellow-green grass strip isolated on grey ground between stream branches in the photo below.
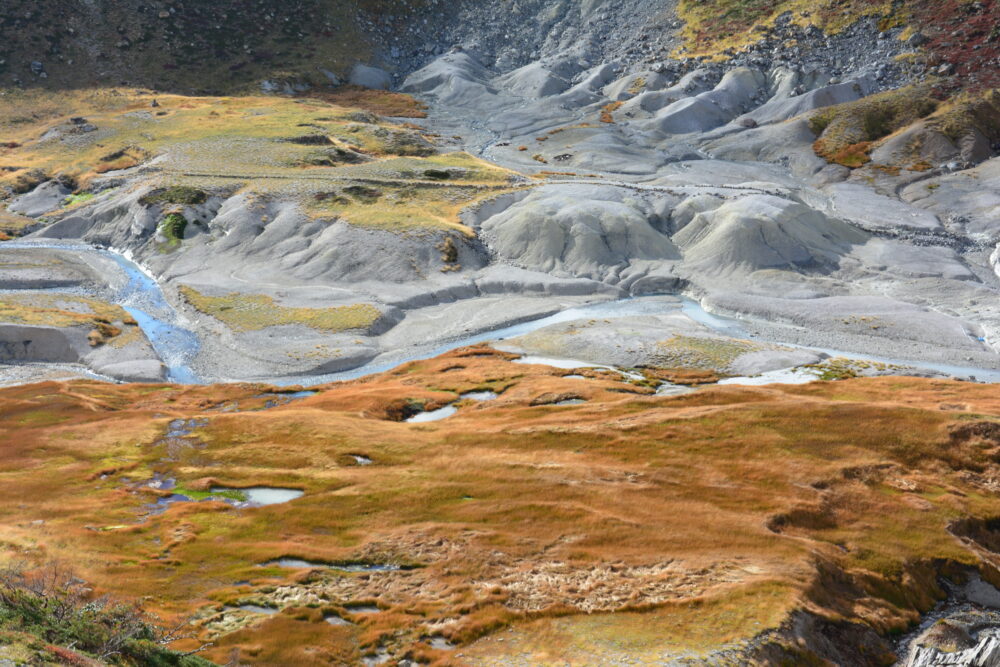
x=253, y=312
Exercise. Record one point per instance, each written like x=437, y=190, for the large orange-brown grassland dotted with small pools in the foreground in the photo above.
x=699, y=520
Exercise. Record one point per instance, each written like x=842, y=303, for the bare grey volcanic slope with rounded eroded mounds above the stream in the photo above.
x=662, y=176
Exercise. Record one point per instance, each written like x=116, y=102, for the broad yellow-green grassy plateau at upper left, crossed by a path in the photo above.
x=232, y=144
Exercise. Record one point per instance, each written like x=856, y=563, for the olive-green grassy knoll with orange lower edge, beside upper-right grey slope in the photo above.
x=847, y=132
